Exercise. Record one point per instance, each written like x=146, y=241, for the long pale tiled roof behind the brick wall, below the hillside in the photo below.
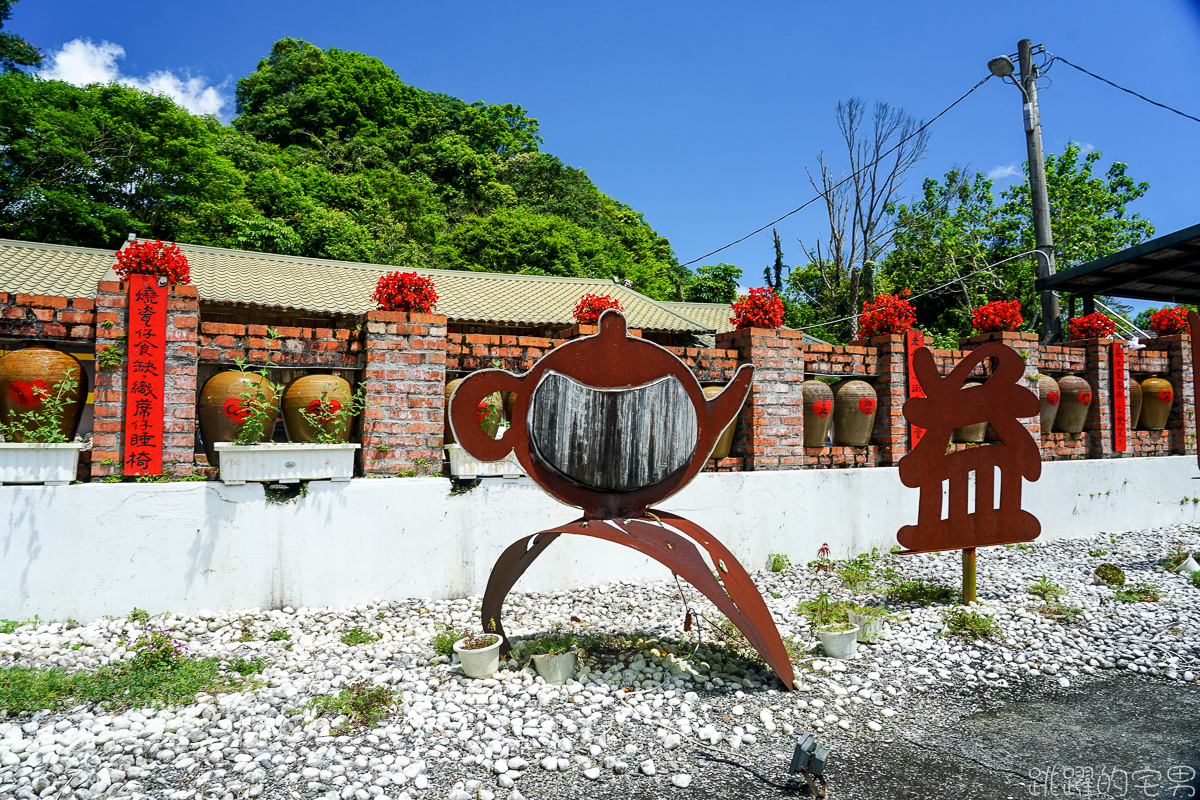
x=316, y=285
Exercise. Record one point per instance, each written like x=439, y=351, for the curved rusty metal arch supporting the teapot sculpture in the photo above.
x=675, y=548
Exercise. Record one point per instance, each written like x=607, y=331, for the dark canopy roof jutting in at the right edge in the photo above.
x=1165, y=270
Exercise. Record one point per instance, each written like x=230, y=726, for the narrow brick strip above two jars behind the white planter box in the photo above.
x=296, y=347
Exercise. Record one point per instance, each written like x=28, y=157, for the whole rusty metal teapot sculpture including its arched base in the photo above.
x=613, y=424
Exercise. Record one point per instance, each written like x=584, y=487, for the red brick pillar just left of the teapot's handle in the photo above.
x=405, y=380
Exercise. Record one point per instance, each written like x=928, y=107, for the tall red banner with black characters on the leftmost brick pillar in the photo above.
x=146, y=380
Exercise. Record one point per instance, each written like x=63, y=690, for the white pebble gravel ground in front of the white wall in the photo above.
x=622, y=729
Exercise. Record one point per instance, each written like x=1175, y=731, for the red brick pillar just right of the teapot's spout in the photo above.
x=771, y=428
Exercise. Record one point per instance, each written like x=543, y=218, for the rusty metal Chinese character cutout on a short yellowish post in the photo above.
x=1001, y=402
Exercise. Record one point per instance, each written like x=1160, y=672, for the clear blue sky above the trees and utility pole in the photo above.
x=705, y=116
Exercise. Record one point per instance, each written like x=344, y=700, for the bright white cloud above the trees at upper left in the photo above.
x=82, y=62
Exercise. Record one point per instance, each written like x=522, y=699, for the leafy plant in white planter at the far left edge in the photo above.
x=37, y=448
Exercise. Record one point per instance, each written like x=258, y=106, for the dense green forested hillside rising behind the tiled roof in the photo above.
x=331, y=155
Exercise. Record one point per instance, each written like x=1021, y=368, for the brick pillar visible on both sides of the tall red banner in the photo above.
x=179, y=390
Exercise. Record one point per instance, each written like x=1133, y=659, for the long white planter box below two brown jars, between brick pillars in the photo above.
x=285, y=464
